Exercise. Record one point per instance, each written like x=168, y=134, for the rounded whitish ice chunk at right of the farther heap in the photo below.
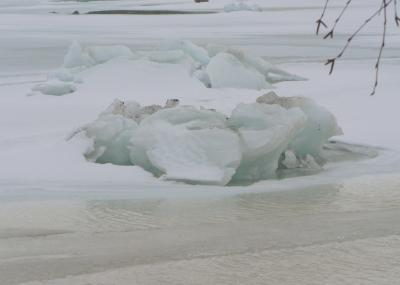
x=226, y=71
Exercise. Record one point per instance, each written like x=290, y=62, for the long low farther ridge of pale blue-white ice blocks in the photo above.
x=214, y=66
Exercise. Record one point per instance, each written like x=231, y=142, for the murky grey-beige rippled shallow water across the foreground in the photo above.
x=352, y=228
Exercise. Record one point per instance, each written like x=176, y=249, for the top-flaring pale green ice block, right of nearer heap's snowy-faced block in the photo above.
x=265, y=132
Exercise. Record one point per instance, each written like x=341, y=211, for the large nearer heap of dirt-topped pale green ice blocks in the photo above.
x=201, y=146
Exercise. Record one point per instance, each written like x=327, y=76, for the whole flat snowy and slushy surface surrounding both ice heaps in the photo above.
x=61, y=215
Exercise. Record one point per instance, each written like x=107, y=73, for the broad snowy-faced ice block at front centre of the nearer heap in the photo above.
x=202, y=156
